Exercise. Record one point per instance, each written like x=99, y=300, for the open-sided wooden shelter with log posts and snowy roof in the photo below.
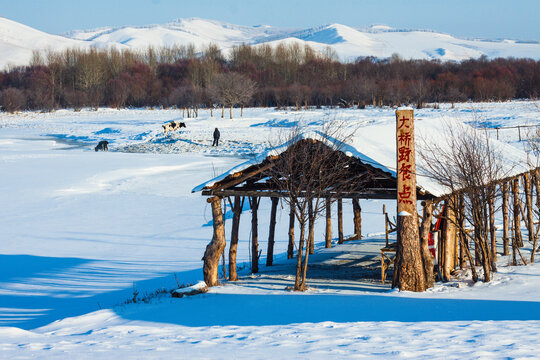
x=369, y=156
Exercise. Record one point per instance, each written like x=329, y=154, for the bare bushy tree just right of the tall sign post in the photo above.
x=467, y=163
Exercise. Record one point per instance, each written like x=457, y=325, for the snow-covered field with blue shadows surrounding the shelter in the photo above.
x=83, y=233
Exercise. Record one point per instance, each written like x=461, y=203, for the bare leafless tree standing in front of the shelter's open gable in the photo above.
x=310, y=171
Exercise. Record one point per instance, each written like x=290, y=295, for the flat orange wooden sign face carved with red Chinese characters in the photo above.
x=406, y=195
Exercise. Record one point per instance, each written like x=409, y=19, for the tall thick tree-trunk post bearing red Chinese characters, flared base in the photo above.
x=408, y=273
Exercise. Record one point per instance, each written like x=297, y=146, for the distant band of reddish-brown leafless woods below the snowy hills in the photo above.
x=286, y=75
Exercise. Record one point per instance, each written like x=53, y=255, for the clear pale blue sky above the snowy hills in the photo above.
x=517, y=19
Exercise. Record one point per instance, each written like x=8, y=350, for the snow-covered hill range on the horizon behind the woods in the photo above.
x=18, y=41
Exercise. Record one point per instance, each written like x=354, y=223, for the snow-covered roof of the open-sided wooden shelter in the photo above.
x=374, y=146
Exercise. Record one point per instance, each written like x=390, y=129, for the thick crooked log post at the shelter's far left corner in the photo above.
x=215, y=248
